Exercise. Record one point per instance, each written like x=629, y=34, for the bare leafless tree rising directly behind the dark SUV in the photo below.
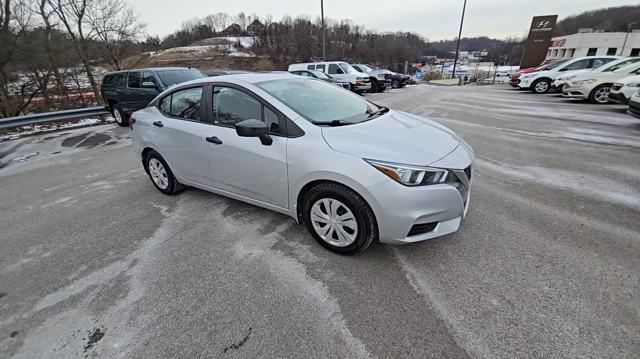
x=115, y=25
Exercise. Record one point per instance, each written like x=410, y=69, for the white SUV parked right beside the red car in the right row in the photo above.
x=540, y=81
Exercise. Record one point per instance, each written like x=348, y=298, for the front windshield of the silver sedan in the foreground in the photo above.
x=320, y=102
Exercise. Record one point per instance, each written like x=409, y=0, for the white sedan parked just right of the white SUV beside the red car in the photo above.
x=595, y=86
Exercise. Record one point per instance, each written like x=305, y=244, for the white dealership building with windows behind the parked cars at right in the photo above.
x=589, y=43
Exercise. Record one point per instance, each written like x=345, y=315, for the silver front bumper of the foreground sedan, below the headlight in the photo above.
x=413, y=214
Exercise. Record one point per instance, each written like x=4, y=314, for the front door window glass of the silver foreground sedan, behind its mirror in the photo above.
x=231, y=106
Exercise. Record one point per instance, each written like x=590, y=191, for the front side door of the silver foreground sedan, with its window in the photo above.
x=243, y=165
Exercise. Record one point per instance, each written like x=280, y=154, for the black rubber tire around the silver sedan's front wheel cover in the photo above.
x=365, y=220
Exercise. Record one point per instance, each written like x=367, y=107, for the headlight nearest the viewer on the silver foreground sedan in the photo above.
x=410, y=175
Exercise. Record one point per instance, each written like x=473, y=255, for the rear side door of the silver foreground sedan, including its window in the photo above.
x=180, y=133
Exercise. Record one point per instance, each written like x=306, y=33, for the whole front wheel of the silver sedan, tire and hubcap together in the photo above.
x=339, y=219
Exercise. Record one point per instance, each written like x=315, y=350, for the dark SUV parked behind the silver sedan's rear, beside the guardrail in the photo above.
x=127, y=91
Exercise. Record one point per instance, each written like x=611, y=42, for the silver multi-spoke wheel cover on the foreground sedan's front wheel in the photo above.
x=334, y=222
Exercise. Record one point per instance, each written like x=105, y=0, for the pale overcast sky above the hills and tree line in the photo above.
x=433, y=19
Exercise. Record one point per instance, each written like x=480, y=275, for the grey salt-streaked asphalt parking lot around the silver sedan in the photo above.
x=95, y=262
